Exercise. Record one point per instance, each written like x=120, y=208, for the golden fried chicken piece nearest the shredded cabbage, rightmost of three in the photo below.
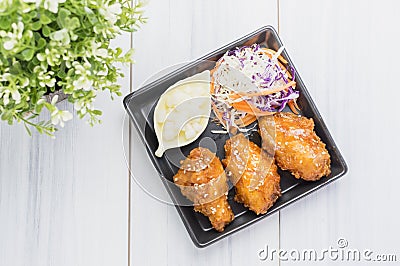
x=297, y=147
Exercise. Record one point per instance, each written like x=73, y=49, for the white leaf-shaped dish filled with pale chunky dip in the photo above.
x=182, y=112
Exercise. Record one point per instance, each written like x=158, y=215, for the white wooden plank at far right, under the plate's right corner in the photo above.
x=347, y=53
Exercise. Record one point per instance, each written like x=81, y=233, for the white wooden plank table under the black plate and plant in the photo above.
x=71, y=201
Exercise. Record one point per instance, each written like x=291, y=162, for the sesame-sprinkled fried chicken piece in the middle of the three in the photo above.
x=253, y=172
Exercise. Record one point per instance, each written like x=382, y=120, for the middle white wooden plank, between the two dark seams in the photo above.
x=179, y=31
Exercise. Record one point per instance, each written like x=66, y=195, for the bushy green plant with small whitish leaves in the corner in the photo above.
x=55, y=49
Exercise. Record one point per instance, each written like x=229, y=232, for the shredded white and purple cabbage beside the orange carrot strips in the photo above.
x=262, y=71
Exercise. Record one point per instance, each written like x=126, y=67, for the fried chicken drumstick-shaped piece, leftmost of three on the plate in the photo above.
x=202, y=180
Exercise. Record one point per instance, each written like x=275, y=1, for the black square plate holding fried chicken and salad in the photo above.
x=140, y=106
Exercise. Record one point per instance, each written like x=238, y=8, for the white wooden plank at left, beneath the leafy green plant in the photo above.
x=65, y=201
